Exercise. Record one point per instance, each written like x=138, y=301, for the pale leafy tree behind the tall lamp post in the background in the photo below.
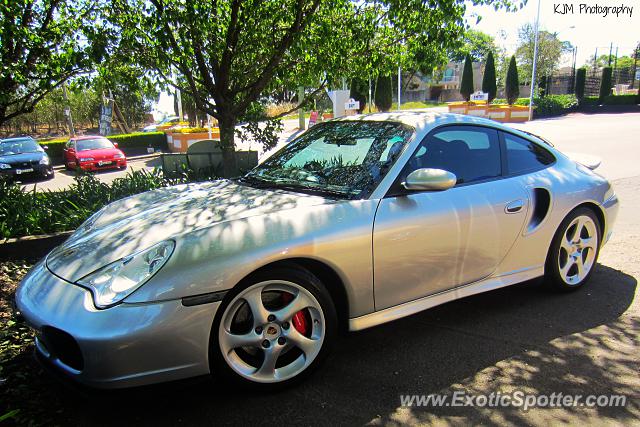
x=550, y=50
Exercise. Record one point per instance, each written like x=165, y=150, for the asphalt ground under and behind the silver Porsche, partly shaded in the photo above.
x=519, y=338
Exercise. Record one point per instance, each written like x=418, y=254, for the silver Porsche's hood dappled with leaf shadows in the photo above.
x=135, y=223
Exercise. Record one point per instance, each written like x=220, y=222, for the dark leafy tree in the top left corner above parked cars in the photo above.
x=42, y=44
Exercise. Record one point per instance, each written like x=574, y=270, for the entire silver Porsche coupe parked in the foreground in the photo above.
x=357, y=222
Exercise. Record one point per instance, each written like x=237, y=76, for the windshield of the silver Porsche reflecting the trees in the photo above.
x=345, y=159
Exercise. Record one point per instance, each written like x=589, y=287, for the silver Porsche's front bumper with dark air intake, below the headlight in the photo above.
x=123, y=346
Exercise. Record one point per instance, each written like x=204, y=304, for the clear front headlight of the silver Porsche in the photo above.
x=116, y=281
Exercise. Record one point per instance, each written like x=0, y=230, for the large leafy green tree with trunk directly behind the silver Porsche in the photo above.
x=232, y=52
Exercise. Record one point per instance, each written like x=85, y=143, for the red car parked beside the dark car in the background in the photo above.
x=93, y=153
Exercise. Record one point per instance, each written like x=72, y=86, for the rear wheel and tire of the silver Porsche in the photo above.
x=574, y=251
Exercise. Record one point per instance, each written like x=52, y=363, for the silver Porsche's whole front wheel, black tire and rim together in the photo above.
x=281, y=344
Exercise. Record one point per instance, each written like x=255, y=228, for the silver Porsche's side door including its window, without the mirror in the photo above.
x=430, y=241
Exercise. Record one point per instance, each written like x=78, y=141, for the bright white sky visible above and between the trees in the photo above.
x=587, y=31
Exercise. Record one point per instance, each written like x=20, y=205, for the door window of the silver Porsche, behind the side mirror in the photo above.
x=471, y=153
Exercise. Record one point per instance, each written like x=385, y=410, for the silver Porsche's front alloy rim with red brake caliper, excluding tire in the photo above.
x=271, y=331
